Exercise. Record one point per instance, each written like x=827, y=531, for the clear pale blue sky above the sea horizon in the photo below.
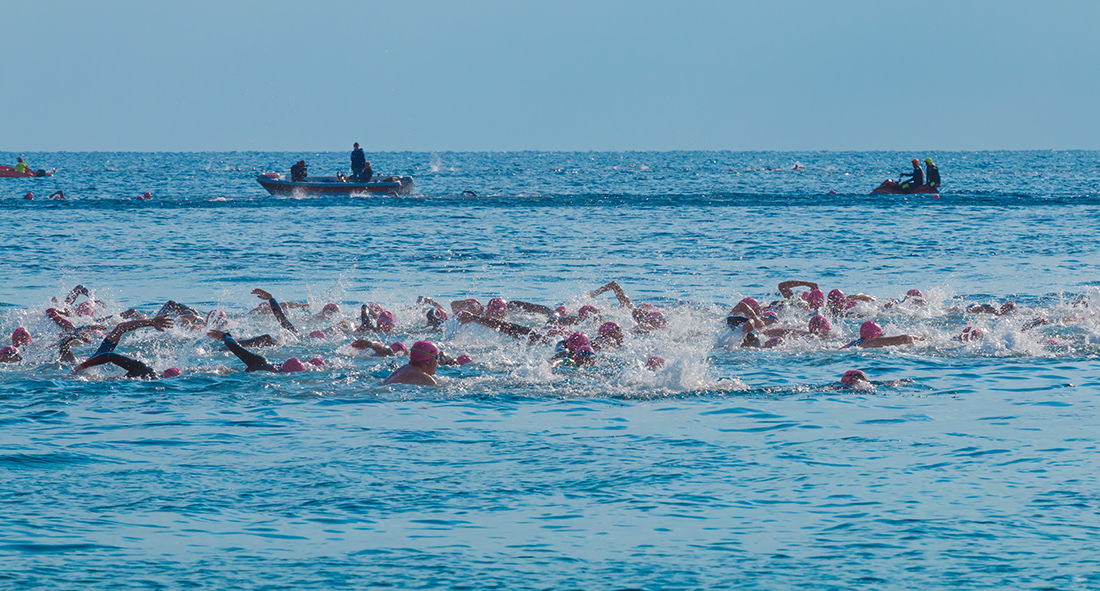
x=496, y=75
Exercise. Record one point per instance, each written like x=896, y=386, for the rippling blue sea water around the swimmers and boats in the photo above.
x=967, y=466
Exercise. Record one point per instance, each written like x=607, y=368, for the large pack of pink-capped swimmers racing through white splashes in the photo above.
x=749, y=325
